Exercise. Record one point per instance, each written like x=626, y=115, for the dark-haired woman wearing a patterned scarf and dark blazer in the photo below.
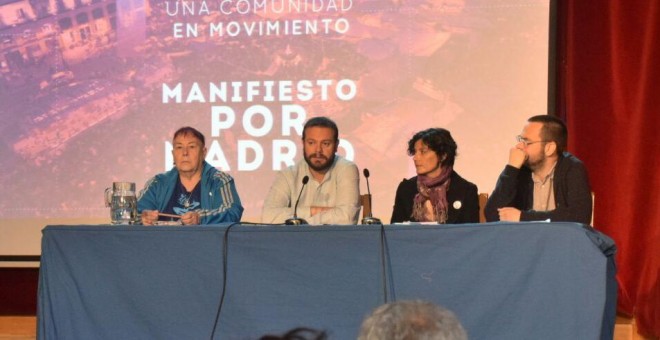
x=437, y=194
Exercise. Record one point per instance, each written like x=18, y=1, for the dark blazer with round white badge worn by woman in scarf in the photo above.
x=459, y=190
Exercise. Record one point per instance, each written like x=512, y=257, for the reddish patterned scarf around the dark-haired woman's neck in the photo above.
x=434, y=189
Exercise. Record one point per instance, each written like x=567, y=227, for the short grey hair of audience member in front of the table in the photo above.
x=411, y=320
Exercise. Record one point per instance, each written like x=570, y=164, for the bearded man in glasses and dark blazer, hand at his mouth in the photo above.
x=541, y=180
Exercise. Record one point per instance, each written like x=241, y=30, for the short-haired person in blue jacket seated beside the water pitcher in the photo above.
x=193, y=192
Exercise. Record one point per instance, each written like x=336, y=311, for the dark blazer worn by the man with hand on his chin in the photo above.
x=515, y=188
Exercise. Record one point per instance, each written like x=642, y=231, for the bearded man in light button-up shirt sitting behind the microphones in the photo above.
x=331, y=196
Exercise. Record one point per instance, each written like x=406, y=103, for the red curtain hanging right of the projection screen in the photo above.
x=608, y=54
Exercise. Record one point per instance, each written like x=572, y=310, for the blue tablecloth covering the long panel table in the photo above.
x=503, y=280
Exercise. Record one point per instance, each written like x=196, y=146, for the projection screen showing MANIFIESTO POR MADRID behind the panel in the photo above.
x=91, y=92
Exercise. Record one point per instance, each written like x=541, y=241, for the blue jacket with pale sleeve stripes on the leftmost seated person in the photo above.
x=220, y=201
